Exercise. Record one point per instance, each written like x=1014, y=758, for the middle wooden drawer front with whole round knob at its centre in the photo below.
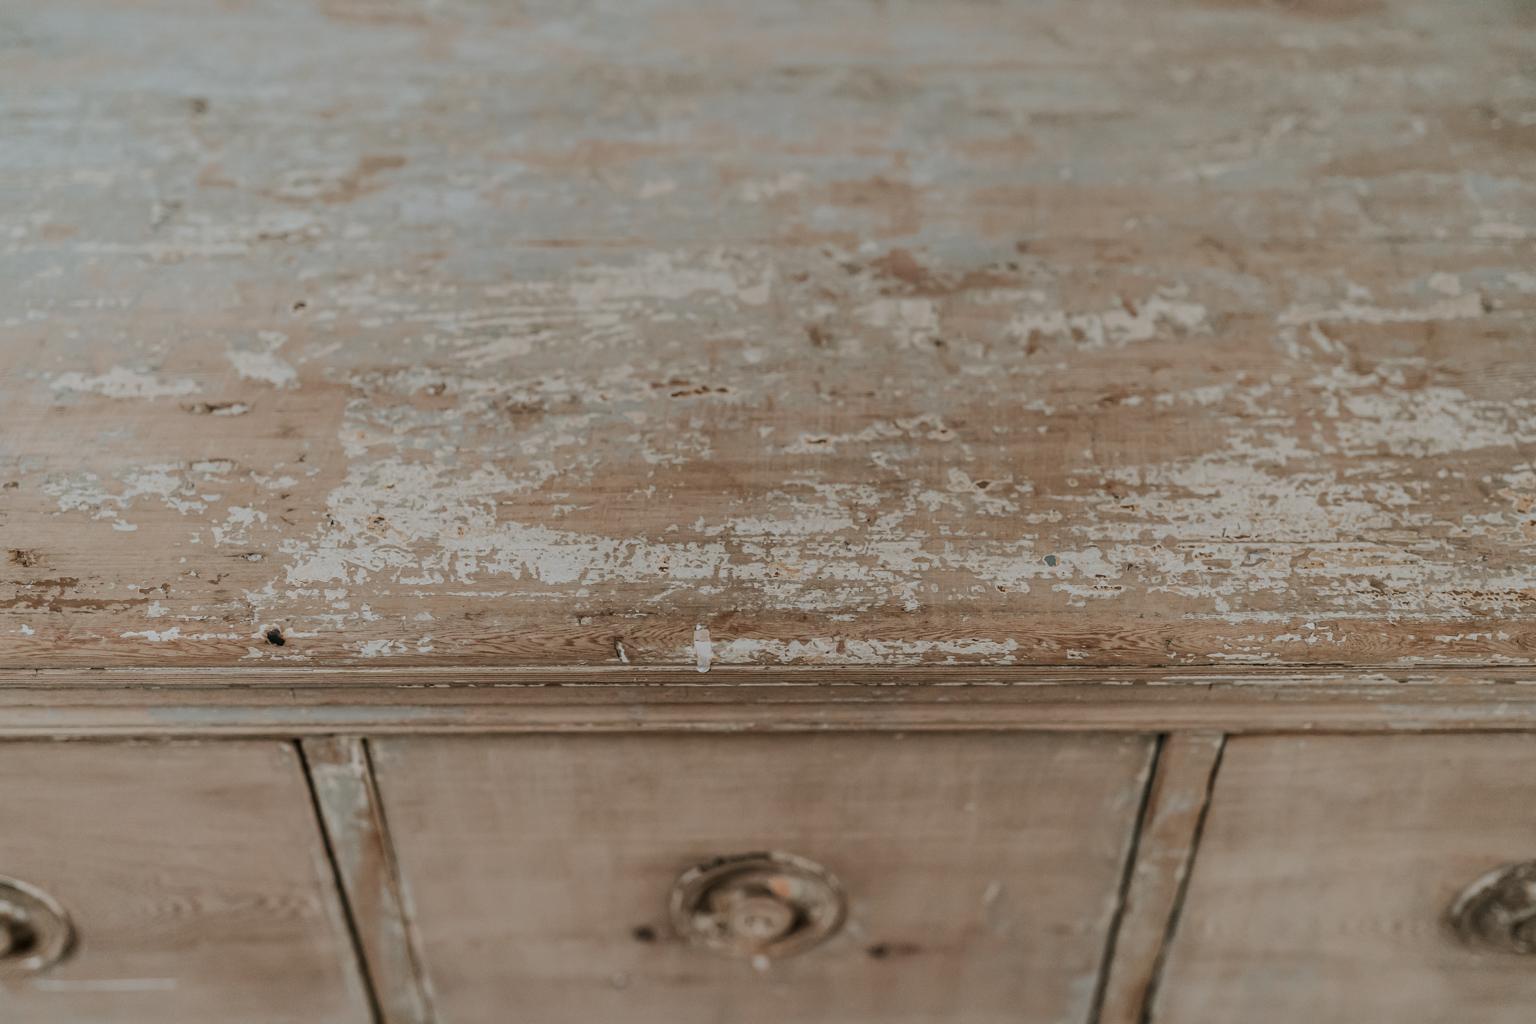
x=976, y=877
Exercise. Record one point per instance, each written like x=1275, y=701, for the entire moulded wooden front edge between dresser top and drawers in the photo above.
x=322, y=702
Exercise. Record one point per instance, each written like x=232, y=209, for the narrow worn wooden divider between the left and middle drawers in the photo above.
x=351, y=816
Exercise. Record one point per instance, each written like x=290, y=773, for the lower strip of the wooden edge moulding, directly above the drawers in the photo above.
x=465, y=710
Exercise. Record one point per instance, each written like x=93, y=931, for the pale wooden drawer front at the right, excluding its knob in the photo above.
x=1323, y=884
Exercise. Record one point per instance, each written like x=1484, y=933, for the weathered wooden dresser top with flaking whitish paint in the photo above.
x=713, y=334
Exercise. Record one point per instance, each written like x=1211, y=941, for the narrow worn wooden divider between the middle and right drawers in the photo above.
x=1176, y=804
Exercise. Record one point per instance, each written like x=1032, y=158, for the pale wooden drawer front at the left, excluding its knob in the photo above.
x=194, y=879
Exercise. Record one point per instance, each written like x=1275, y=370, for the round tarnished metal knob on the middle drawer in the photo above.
x=758, y=905
